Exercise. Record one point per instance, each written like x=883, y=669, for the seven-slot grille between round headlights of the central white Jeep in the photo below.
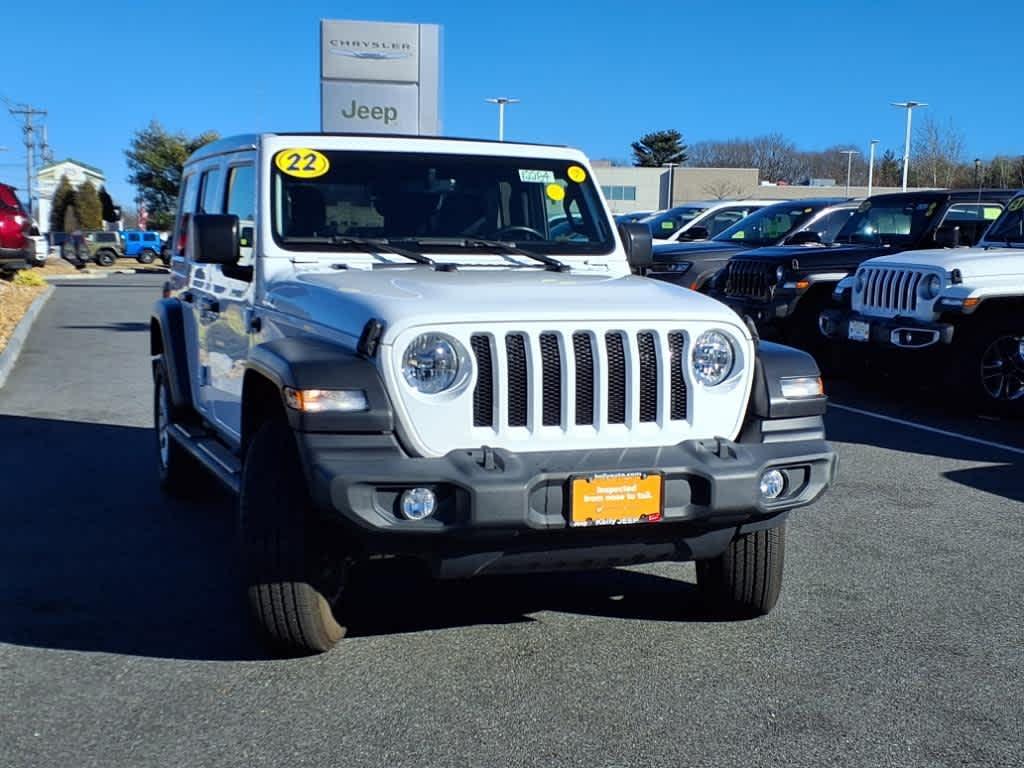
x=602, y=397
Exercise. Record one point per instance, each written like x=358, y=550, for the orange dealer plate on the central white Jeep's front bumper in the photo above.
x=616, y=499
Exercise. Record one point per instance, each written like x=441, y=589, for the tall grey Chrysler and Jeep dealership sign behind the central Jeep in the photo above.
x=380, y=78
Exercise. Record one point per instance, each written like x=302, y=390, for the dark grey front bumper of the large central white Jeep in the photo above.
x=494, y=503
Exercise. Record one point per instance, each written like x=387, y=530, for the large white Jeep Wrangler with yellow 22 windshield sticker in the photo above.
x=435, y=349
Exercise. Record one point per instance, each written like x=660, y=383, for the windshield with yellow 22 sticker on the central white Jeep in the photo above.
x=543, y=205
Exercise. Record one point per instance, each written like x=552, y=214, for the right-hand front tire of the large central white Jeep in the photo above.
x=745, y=582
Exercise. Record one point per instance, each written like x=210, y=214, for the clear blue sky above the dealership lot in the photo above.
x=595, y=74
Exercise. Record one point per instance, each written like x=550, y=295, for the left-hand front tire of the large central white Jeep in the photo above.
x=293, y=576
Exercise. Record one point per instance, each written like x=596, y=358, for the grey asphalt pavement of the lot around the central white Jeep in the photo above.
x=124, y=641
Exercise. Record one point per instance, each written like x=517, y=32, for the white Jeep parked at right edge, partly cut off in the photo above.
x=964, y=305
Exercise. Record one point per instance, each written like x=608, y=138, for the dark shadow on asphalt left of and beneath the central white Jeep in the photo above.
x=96, y=559
